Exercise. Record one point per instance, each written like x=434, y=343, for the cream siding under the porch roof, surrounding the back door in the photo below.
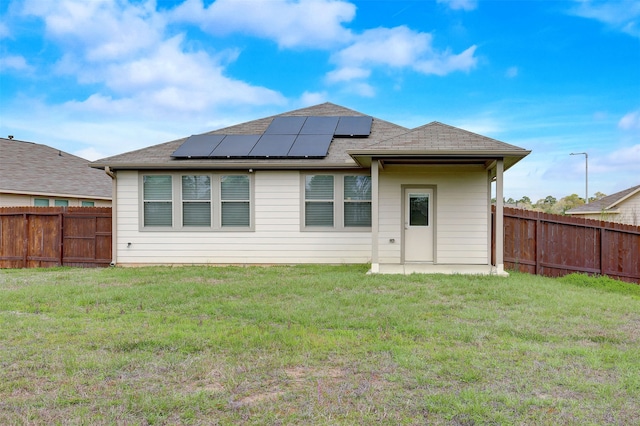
x=461, y=212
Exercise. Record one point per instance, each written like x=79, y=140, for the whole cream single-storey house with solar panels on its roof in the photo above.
x=323, y=184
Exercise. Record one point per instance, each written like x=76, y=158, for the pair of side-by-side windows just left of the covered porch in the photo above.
x=337, y=202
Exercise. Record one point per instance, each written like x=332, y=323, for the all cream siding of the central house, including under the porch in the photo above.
x=460, y=207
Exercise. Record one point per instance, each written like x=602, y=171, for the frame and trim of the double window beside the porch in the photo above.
x=338, y=203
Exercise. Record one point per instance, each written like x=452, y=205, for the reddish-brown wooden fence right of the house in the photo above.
x=554, y=245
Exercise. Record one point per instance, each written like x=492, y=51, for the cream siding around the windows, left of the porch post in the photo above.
x=277, y=237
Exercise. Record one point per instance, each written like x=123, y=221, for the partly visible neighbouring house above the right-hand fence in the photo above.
x=621, y=207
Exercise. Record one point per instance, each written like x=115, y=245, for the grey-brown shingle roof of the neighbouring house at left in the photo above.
x=31, y=168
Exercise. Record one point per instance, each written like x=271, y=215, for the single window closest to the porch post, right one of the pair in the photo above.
x=357, y=201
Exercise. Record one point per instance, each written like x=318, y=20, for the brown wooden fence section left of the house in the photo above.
x=33, y=237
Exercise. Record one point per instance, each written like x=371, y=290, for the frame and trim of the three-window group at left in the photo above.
x=177, y=203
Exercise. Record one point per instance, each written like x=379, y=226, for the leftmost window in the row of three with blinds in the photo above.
x=157, y=199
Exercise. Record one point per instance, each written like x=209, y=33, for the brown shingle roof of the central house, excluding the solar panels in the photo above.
x=434, y=139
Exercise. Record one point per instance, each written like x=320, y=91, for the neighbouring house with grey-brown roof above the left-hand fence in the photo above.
x=38, y=175
